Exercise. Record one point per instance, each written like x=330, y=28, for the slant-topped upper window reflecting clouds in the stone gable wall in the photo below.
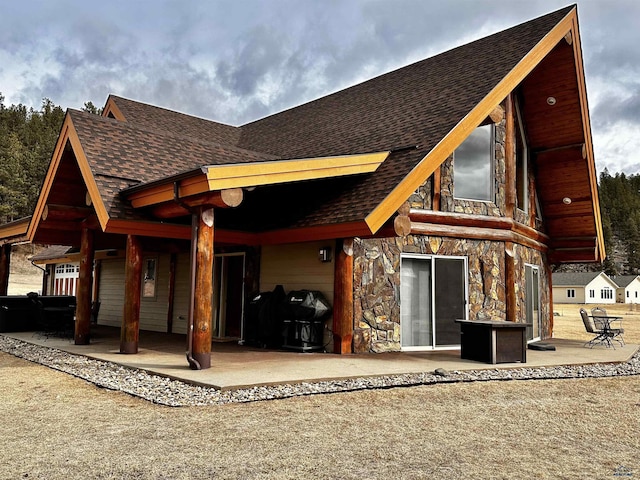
x=473, y=166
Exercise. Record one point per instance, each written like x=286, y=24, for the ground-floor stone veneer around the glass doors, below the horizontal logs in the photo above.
x=377, y=284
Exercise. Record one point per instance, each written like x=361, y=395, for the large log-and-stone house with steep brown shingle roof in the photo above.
x=443, y=190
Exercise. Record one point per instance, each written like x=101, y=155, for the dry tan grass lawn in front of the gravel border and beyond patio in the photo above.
x=54, y=426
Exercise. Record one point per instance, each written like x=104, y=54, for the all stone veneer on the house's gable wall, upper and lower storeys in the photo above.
x=377, y=263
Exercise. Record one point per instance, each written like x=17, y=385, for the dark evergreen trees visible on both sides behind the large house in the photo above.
x=28, y=136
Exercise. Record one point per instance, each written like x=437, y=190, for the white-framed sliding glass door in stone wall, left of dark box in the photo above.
x=433, y=294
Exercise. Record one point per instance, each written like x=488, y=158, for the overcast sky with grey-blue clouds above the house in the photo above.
x=238, y=60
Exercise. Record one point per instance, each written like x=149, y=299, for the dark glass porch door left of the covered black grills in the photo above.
x=228, y=296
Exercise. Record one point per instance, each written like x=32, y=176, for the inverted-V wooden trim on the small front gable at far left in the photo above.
x=68, y=135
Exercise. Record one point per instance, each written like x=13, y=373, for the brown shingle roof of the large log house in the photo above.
x=416, y=105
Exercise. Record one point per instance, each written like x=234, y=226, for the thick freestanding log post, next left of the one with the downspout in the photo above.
x=130, y=329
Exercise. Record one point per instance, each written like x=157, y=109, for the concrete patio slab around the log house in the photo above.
x=234, y=366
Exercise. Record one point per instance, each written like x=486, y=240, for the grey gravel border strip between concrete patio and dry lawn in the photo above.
x=175, y=393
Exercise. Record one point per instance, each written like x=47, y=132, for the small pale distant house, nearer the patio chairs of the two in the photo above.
x=584, y=287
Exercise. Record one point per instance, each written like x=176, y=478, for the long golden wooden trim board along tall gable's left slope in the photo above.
x=475, y=117
